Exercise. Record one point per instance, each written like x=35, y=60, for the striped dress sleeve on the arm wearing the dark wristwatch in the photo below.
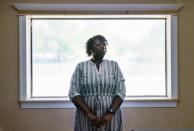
x=120, y=83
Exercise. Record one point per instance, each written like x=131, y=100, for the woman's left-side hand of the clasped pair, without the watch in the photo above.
x=94, y=120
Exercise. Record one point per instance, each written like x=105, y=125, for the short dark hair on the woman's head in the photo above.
x=90, y=42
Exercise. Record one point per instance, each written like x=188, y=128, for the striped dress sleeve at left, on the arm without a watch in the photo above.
x=75, y=83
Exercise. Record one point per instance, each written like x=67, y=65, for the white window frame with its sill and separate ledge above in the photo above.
x=25, y=58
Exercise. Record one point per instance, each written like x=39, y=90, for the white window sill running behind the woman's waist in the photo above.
x=129, y=102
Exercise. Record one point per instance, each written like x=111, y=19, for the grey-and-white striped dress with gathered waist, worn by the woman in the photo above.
x=98, y=88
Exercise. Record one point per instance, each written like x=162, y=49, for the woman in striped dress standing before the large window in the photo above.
x=97, y=90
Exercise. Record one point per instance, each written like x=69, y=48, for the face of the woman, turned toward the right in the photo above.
x=99, y=48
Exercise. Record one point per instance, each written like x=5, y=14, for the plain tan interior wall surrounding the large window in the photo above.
x=13, y=118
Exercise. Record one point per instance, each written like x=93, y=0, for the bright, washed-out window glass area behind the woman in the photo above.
x=138, y=45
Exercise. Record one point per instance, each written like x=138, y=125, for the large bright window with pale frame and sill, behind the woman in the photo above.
x=145, y=46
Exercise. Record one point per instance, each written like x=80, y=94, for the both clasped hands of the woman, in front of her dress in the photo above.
x=97, y=122
